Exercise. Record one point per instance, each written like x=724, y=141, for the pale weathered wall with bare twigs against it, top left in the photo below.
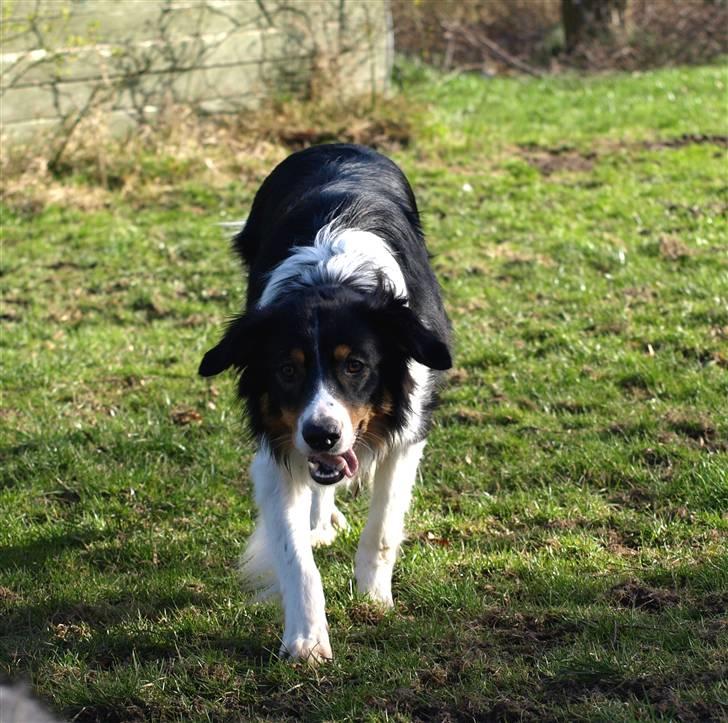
x=61, y=59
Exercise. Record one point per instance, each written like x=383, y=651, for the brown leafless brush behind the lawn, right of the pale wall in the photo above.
x=527, y=35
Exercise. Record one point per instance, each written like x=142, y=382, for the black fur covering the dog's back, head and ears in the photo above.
x=364, y=190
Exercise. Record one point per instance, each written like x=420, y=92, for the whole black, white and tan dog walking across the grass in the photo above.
x=340, y=353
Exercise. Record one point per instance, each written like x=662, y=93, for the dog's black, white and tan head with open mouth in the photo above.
x=327, y=373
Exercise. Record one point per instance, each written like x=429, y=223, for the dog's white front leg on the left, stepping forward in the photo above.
x=285, y=505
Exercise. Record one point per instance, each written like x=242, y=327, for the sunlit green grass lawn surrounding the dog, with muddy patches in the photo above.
x=567, y=548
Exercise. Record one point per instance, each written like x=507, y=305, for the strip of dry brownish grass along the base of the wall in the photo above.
x=143, y=165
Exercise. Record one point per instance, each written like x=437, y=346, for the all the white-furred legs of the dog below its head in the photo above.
x=278, y=559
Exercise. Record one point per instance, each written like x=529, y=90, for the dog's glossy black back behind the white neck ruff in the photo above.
x=361, y=188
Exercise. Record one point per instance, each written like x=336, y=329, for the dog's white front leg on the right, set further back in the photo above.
x=384, y=531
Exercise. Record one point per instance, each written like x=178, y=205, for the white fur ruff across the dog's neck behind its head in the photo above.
x=338, y=256
